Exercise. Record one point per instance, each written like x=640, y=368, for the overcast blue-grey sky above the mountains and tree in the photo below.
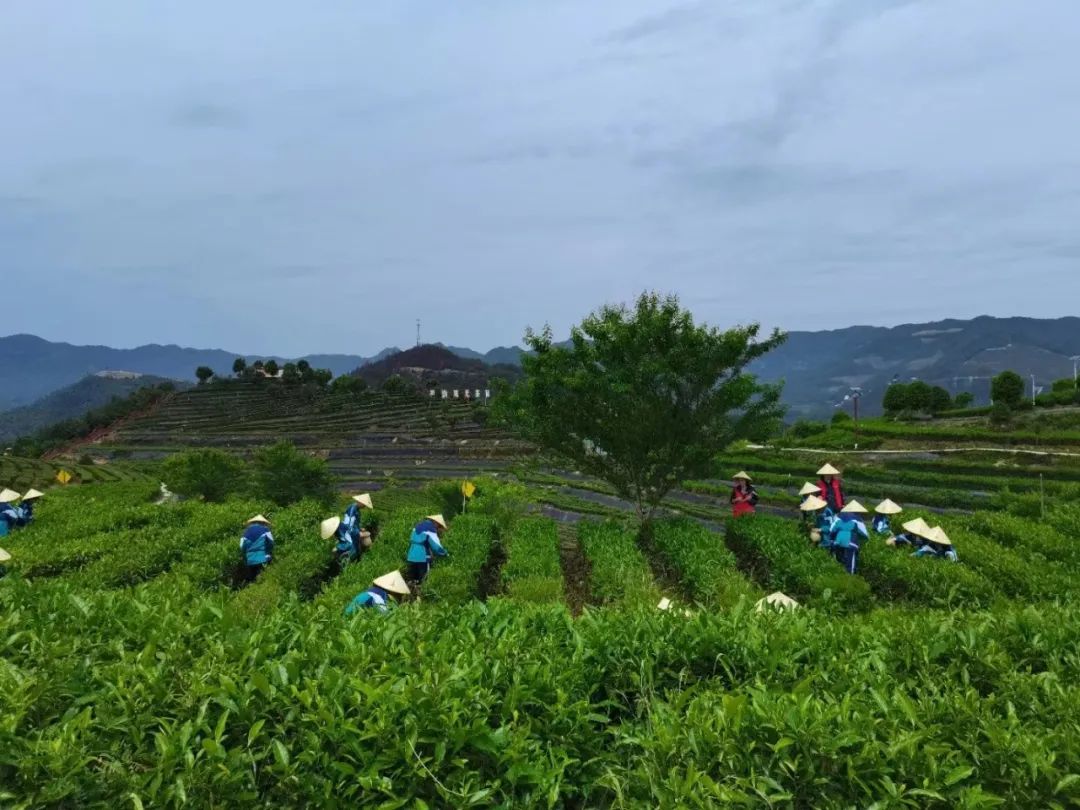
x=295, y=178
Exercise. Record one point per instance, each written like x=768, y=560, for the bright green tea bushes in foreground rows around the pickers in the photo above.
x=534, y=669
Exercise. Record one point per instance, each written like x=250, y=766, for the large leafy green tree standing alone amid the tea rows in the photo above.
x=643, y=398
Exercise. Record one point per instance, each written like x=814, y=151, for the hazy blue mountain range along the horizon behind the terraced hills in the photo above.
x=818, y=368
